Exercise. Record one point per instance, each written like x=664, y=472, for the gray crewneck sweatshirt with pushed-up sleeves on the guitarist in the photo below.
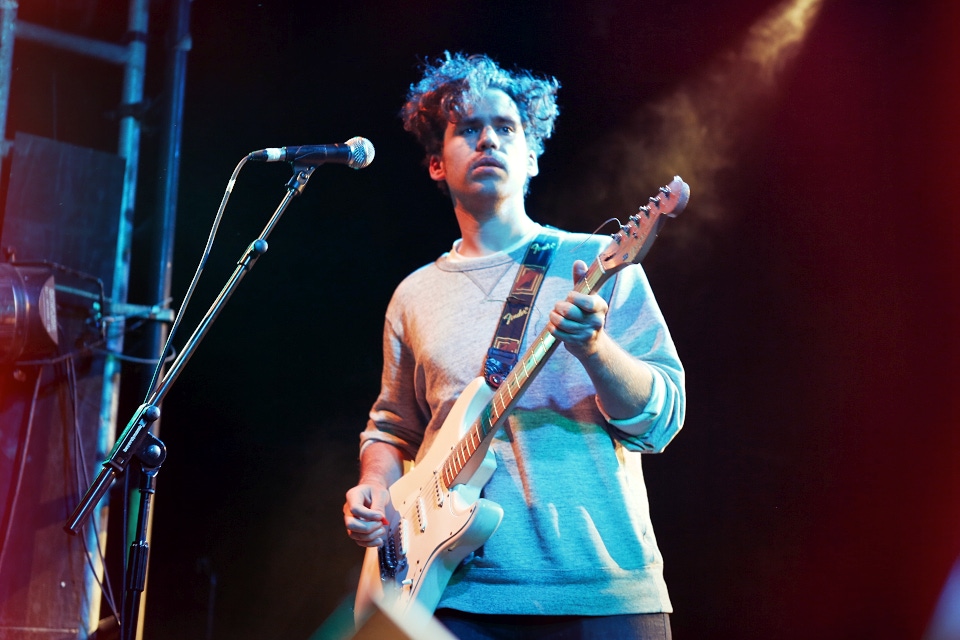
x=576, y=536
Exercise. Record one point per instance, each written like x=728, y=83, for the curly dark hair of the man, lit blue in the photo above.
x=451, y=82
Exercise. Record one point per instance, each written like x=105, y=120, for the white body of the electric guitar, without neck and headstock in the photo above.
x=434, y=528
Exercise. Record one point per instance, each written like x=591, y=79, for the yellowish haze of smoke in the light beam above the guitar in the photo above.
x=695, y=132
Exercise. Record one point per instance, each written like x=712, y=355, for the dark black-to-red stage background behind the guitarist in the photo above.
x=811, y=287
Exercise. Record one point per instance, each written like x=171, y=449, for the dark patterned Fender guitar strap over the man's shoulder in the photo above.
x=503, y=352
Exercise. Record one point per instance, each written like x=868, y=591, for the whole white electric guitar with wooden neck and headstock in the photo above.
x=440, y=517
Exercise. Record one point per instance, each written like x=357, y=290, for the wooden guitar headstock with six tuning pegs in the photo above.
x=635, y=238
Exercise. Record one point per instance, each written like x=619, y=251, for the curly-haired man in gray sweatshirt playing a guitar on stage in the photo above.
x=573, y=551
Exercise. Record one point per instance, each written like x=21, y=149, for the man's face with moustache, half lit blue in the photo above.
x=485, y=154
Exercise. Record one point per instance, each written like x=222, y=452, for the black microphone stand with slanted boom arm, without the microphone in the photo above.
x=137, y=443
